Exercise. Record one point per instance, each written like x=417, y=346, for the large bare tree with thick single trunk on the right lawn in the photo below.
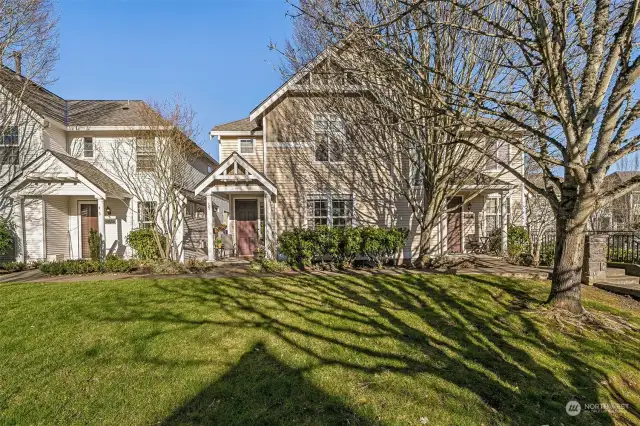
x=565, y=81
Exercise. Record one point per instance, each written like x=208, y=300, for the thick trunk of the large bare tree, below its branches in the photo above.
x=567, y=268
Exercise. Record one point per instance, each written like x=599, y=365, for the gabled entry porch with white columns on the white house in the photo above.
x=57, y=200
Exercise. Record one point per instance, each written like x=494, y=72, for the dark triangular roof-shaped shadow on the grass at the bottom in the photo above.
x=261, y=390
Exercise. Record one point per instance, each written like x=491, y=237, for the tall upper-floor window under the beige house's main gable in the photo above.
x=329, y=137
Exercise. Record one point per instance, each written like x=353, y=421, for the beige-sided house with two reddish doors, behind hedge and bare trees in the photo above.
x=276, y=180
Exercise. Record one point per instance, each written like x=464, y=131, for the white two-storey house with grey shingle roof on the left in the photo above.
x=59, y=177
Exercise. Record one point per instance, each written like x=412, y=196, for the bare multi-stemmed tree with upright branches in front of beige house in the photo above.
x=389, y=101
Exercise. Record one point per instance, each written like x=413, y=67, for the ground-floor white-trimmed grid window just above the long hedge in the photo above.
x=330, y=210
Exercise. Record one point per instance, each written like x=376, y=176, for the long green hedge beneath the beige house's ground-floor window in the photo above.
x=340, y=246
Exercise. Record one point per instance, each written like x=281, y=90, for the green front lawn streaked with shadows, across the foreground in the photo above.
x=369, y=349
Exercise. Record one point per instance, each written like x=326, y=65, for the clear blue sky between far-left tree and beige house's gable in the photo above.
x=213, y=53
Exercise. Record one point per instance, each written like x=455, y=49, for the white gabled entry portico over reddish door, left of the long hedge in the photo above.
x=251, y=196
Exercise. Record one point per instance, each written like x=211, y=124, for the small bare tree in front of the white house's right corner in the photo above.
x=154, y=163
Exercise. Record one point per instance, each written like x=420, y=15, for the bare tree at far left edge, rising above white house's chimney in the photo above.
x=29, y=42
